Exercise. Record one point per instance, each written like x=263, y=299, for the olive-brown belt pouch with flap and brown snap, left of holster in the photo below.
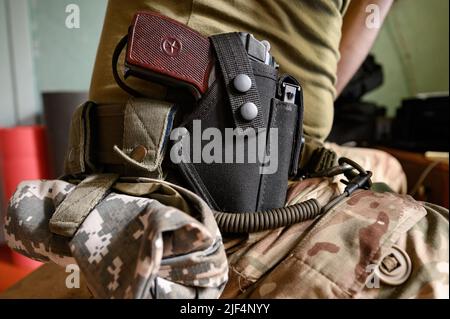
x=129, y=139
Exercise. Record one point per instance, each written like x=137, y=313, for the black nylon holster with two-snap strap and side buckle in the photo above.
x=244, y=185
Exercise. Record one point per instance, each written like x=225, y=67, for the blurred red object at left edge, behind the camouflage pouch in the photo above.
x=23, y=156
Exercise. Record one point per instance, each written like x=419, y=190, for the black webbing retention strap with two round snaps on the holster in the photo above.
x=233, y=60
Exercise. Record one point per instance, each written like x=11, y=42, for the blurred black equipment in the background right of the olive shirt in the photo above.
x=421, y=123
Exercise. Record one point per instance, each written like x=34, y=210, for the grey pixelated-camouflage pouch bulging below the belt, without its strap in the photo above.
x=128, y=246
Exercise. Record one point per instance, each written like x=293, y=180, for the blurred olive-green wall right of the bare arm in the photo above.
x=413, y=49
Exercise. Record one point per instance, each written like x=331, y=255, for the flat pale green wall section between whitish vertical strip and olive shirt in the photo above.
x=64, y=57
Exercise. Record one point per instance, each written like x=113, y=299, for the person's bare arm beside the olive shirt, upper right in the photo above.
x=357, y=39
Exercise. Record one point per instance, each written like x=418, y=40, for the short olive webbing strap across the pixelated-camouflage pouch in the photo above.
x=71, y=213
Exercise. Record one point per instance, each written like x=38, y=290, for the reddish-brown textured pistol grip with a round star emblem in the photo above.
x=166, y=51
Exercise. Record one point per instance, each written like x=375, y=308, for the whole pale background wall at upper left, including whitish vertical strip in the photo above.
x=40, y=54
